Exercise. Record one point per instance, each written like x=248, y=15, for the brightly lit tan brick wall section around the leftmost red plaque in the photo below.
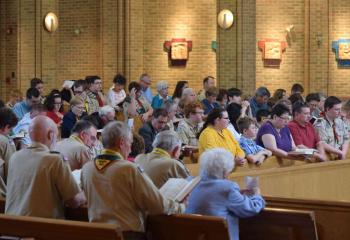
x=193, y=20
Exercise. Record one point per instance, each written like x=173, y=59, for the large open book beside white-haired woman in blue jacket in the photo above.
x=178, y=188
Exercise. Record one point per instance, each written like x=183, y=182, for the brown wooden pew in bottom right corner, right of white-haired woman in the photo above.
x=332, y=218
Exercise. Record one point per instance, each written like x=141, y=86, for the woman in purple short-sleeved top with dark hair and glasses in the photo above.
x=275, y=136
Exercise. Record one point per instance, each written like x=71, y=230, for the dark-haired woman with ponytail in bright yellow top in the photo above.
x=215, y=134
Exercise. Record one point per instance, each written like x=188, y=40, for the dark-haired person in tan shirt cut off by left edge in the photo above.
x=8, y=120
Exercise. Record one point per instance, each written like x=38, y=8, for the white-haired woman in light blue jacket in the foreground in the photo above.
x=217, y=196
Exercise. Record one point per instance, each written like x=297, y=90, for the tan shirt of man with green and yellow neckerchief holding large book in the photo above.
x=121, y=194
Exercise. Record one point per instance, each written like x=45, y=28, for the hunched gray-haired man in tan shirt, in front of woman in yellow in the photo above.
x=162, y=164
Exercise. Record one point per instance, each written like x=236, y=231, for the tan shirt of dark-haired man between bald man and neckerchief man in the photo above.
x=74, y=151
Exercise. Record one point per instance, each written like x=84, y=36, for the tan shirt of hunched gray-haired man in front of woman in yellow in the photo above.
x=159, y=166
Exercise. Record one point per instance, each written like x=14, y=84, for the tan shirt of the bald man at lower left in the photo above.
x=38, y=183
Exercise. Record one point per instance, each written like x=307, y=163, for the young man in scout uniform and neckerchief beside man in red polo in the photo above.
x=332, y=130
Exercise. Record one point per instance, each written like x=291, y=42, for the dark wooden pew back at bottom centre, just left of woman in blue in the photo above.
x=186, y=227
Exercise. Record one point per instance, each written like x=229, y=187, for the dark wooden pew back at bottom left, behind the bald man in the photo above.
x=53, y=229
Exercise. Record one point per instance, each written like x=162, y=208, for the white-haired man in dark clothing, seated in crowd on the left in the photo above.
x=104, y=115
